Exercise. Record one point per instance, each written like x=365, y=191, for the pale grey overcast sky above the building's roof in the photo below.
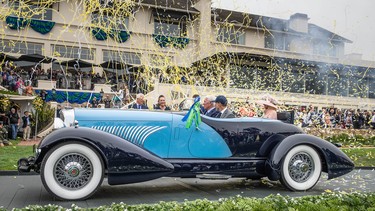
x=352, y=19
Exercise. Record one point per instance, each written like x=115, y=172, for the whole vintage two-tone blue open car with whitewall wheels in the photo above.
x=130, y=146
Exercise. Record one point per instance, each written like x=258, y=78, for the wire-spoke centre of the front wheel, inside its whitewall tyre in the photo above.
x=73, y=171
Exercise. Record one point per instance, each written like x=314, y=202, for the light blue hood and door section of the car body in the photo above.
x=164, y=134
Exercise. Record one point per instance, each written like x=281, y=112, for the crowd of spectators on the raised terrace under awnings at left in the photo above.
x=20, y=79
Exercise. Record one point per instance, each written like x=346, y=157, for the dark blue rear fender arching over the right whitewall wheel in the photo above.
x=335, y=162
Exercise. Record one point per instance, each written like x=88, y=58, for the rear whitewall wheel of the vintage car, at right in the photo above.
x=301, y=168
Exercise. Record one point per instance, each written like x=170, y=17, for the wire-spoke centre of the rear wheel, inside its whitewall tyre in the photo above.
x=301, y=167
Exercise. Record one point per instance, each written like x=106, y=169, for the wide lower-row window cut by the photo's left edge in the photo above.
x=9, y=46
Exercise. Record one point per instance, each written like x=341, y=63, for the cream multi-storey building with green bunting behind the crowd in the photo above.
x=299, y=62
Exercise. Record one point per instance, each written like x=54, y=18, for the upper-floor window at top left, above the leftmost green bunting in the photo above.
x=31, y=11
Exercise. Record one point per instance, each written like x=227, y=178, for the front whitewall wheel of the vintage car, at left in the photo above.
x=72, y=171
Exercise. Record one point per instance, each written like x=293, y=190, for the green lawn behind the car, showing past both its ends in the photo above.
x=9, y=156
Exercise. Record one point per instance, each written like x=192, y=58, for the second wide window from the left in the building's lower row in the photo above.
x=74, y=52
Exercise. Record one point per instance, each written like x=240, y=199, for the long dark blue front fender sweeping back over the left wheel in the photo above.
x=125, y=162
